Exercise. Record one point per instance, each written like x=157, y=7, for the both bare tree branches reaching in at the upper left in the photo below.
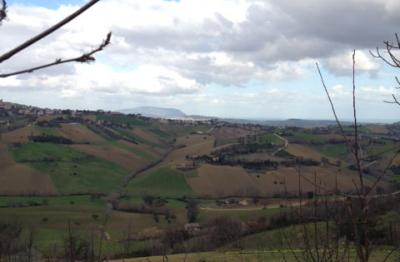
x=84, y=58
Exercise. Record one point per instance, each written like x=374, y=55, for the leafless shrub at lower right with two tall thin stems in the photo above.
x=332, y=226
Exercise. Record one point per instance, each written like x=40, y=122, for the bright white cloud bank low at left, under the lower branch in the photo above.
x=146, y=79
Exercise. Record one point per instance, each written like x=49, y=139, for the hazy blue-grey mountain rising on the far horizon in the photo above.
x=155, y=112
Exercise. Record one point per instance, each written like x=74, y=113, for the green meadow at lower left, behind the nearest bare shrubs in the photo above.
x=50, y=223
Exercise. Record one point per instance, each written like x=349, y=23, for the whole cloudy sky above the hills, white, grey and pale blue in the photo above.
x=230, y=58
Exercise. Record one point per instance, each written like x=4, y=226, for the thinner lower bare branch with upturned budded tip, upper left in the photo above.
x=85, y=58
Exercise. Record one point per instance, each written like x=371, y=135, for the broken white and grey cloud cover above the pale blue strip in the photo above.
x=182, y=50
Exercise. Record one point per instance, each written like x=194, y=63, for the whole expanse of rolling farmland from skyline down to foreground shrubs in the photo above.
x=138, y=180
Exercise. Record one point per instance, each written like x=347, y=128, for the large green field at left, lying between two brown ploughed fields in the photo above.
x=71, y=171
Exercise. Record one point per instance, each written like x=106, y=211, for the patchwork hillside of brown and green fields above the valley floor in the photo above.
x=100, y=152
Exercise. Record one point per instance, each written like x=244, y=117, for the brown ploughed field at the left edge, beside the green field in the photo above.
x=18, y=179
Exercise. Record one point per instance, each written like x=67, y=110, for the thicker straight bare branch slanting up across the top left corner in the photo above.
x=47, y=32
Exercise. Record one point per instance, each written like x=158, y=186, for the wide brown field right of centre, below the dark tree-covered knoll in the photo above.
x=219, y=181
